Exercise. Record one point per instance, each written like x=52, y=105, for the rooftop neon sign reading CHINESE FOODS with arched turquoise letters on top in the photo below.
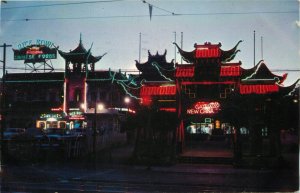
x=35, y=51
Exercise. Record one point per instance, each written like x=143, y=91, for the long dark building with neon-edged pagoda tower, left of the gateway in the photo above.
x=63, y=99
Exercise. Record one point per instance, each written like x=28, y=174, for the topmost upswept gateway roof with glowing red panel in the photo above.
x=217, y=52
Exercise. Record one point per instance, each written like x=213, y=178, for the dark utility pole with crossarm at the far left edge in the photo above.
x=4, y=46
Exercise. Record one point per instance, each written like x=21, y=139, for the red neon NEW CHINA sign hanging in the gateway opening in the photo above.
x=204, y=108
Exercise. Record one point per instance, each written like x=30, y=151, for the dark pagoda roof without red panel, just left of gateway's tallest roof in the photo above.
x=156, y=68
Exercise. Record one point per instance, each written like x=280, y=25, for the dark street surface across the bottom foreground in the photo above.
x=111, y=173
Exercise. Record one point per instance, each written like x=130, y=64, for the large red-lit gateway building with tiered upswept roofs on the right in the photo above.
x=213, y=97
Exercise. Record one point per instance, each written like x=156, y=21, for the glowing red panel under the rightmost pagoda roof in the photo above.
x=258, y=89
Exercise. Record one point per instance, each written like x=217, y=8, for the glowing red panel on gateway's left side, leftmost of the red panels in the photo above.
x=158, y=90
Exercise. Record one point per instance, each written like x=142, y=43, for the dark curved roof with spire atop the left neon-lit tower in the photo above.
x=80, y=55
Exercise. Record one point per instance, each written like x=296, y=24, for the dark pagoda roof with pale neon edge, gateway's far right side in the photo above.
x=260, y=73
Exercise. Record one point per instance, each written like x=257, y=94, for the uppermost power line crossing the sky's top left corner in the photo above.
x=60, y=4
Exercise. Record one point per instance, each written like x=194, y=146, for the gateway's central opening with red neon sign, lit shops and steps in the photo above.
x=206, y=134
